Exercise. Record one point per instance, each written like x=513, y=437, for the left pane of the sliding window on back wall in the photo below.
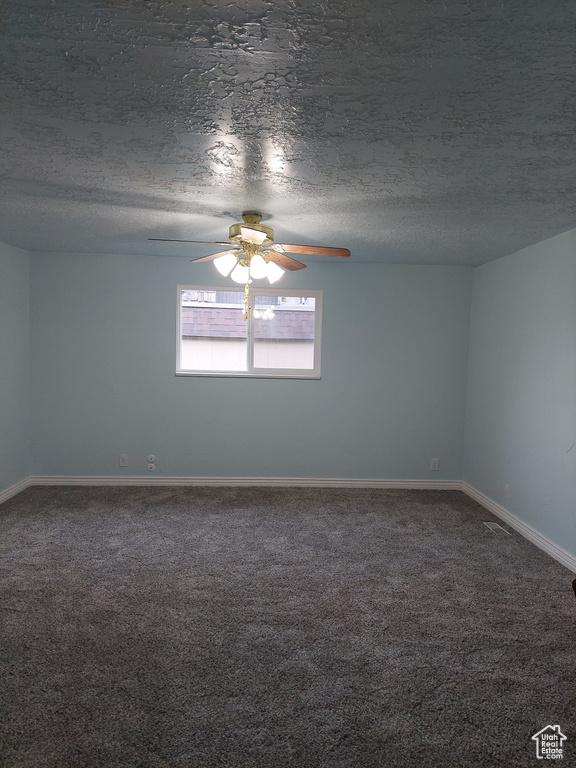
x=214, y=332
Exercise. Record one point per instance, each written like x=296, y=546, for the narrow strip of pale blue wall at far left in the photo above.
x=14, y=366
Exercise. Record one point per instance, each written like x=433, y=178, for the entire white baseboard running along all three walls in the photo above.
x=558, y=553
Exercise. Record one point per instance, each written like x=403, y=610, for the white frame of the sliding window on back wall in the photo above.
x=252, y=372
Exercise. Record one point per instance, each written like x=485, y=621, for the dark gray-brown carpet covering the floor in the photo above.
x=228, y=627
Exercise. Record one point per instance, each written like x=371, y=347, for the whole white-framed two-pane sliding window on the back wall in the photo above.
x=280, y=338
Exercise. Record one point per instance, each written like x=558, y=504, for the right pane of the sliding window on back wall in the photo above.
x=284, y=332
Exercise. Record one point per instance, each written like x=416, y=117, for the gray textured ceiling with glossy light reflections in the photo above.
x=409, y=131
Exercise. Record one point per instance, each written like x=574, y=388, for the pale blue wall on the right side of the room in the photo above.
x=521, y=409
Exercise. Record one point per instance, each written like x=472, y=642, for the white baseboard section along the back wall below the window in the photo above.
x=278, y=482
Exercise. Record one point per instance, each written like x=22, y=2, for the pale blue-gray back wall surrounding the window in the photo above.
x=391, y=397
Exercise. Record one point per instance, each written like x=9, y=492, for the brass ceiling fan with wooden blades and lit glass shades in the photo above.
x=254, y=256
